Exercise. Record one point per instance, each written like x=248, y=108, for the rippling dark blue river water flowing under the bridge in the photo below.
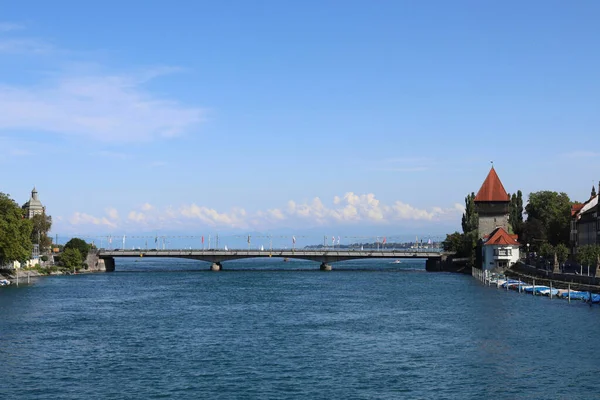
x=264, y=329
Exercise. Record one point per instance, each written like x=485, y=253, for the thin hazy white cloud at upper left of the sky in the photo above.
x=102, y=108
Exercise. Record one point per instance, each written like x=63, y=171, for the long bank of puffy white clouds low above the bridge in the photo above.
x=349, y=209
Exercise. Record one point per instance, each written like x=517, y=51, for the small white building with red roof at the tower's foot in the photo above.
x=500, y=250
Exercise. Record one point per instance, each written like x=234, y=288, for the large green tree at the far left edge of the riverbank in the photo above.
x=15, y=232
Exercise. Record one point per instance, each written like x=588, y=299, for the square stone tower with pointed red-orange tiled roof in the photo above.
x=491, y=203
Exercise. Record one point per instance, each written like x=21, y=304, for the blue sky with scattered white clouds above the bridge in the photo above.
x=279, y=117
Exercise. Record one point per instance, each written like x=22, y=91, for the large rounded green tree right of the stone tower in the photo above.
x=552, y=211
